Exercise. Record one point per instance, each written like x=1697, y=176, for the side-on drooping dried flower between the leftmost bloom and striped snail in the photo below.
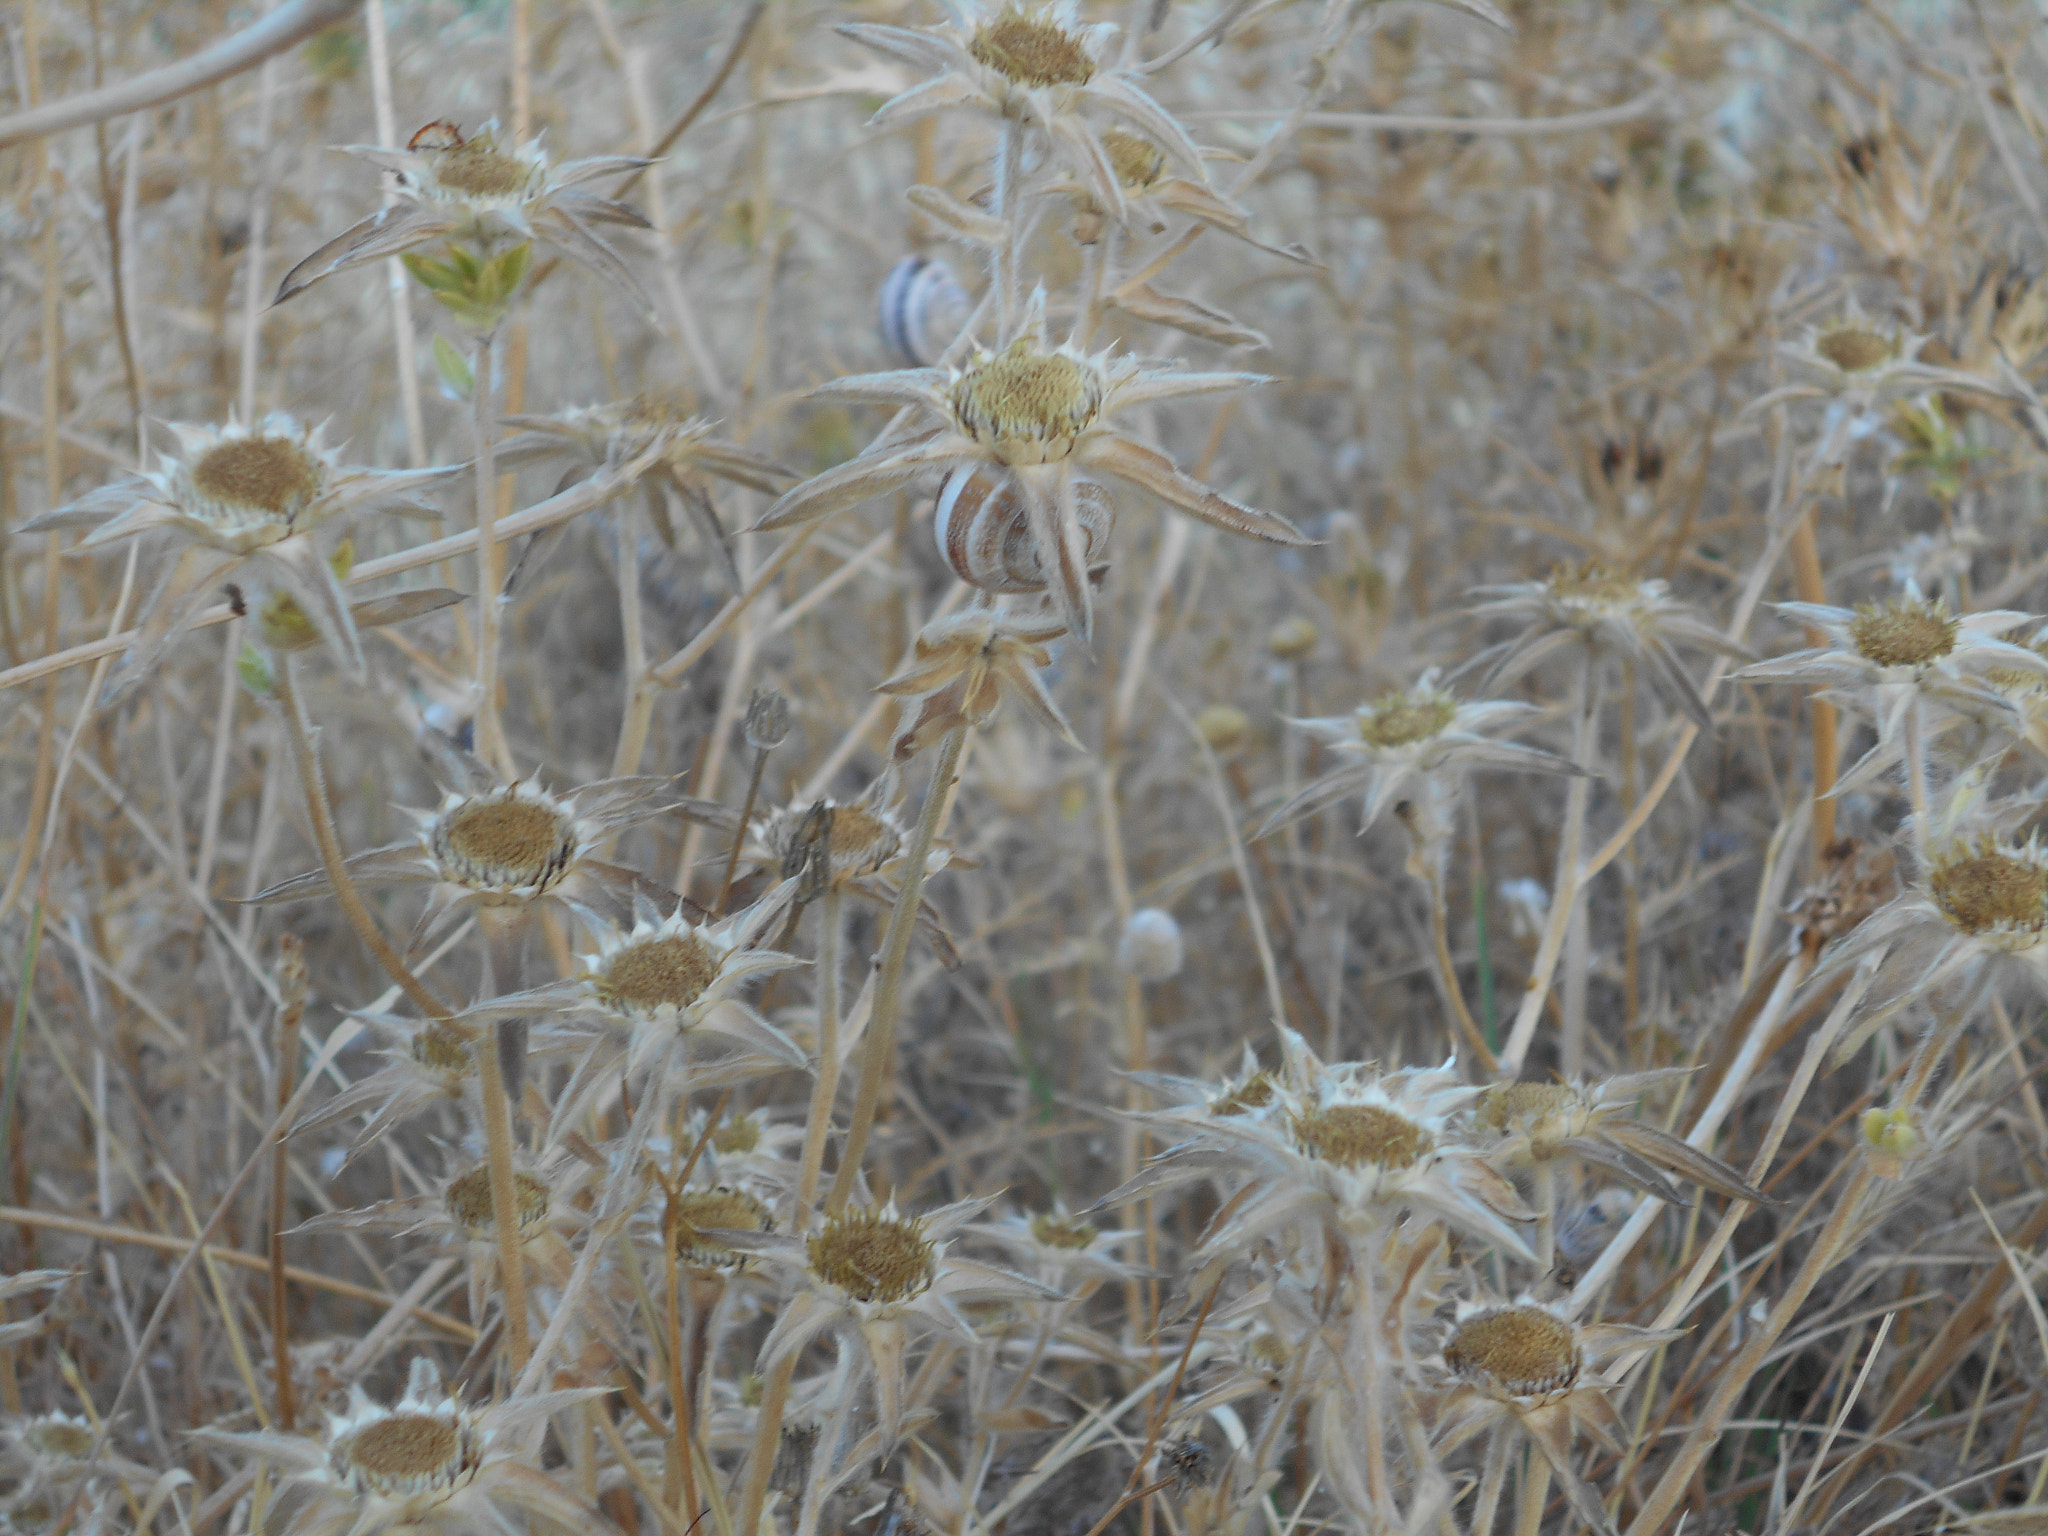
x=687, y=458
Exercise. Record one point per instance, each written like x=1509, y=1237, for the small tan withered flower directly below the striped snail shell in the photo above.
x=966, y=667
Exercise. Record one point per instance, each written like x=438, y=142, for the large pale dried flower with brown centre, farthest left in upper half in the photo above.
x=243, y=507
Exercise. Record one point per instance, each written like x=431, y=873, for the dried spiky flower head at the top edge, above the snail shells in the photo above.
x=1033, y=65
